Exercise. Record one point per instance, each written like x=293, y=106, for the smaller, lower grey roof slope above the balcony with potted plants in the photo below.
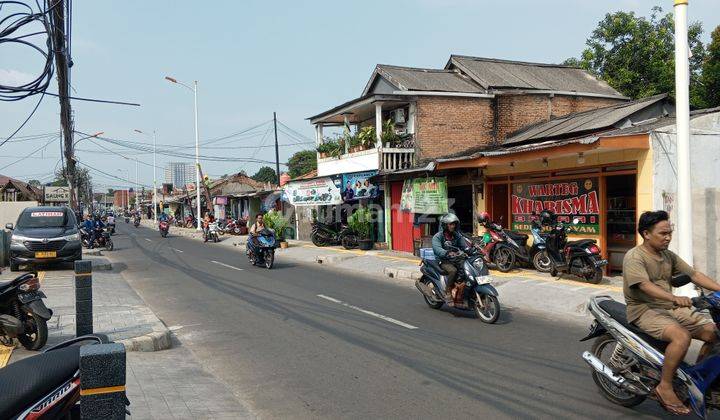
x=410, y=78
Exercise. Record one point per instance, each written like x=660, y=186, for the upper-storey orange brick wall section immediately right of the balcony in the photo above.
x=445, y=125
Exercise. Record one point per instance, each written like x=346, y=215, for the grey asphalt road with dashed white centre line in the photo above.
x=301, y=341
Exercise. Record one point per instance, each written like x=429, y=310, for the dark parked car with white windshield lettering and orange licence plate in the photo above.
x=44, y=235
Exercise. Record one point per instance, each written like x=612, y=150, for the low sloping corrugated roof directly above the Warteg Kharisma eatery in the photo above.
x=588, y=121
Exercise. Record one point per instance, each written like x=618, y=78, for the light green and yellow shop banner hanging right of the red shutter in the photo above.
x=425, y=196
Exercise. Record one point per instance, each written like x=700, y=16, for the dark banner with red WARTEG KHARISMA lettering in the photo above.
x=577, y=198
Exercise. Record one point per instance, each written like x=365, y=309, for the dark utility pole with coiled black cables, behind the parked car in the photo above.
x=60, y=48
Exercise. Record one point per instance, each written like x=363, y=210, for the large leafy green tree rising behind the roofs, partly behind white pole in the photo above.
x=636, y=55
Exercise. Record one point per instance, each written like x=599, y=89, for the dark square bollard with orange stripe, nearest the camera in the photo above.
x=102, y=381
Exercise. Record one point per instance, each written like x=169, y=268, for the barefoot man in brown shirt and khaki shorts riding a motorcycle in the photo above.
x=647, y=271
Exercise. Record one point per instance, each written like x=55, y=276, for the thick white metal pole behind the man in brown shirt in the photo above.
x=682, y=110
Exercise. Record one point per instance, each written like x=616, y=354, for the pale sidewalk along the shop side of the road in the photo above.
x=529, y=290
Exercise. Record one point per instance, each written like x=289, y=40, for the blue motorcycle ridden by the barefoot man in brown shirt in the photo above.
x=627, y=363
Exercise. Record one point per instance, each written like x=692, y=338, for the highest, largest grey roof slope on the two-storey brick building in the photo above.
x=500, y=74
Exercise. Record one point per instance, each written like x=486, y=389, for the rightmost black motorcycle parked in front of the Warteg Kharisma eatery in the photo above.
x=580, y=258
